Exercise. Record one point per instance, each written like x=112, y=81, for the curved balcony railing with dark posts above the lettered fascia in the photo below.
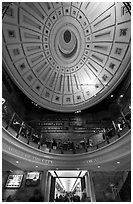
x=19, y=129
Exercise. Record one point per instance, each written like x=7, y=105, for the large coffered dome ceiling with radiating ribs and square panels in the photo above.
x=66, y=56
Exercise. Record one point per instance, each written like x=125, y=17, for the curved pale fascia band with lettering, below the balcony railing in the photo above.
x=114, y=151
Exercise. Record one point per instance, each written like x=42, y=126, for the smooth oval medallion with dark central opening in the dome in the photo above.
x=67, y=54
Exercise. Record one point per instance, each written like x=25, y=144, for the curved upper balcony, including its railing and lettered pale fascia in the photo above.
x=105, y=146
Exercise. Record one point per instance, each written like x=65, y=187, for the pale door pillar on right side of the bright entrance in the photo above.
x=90, y=190
